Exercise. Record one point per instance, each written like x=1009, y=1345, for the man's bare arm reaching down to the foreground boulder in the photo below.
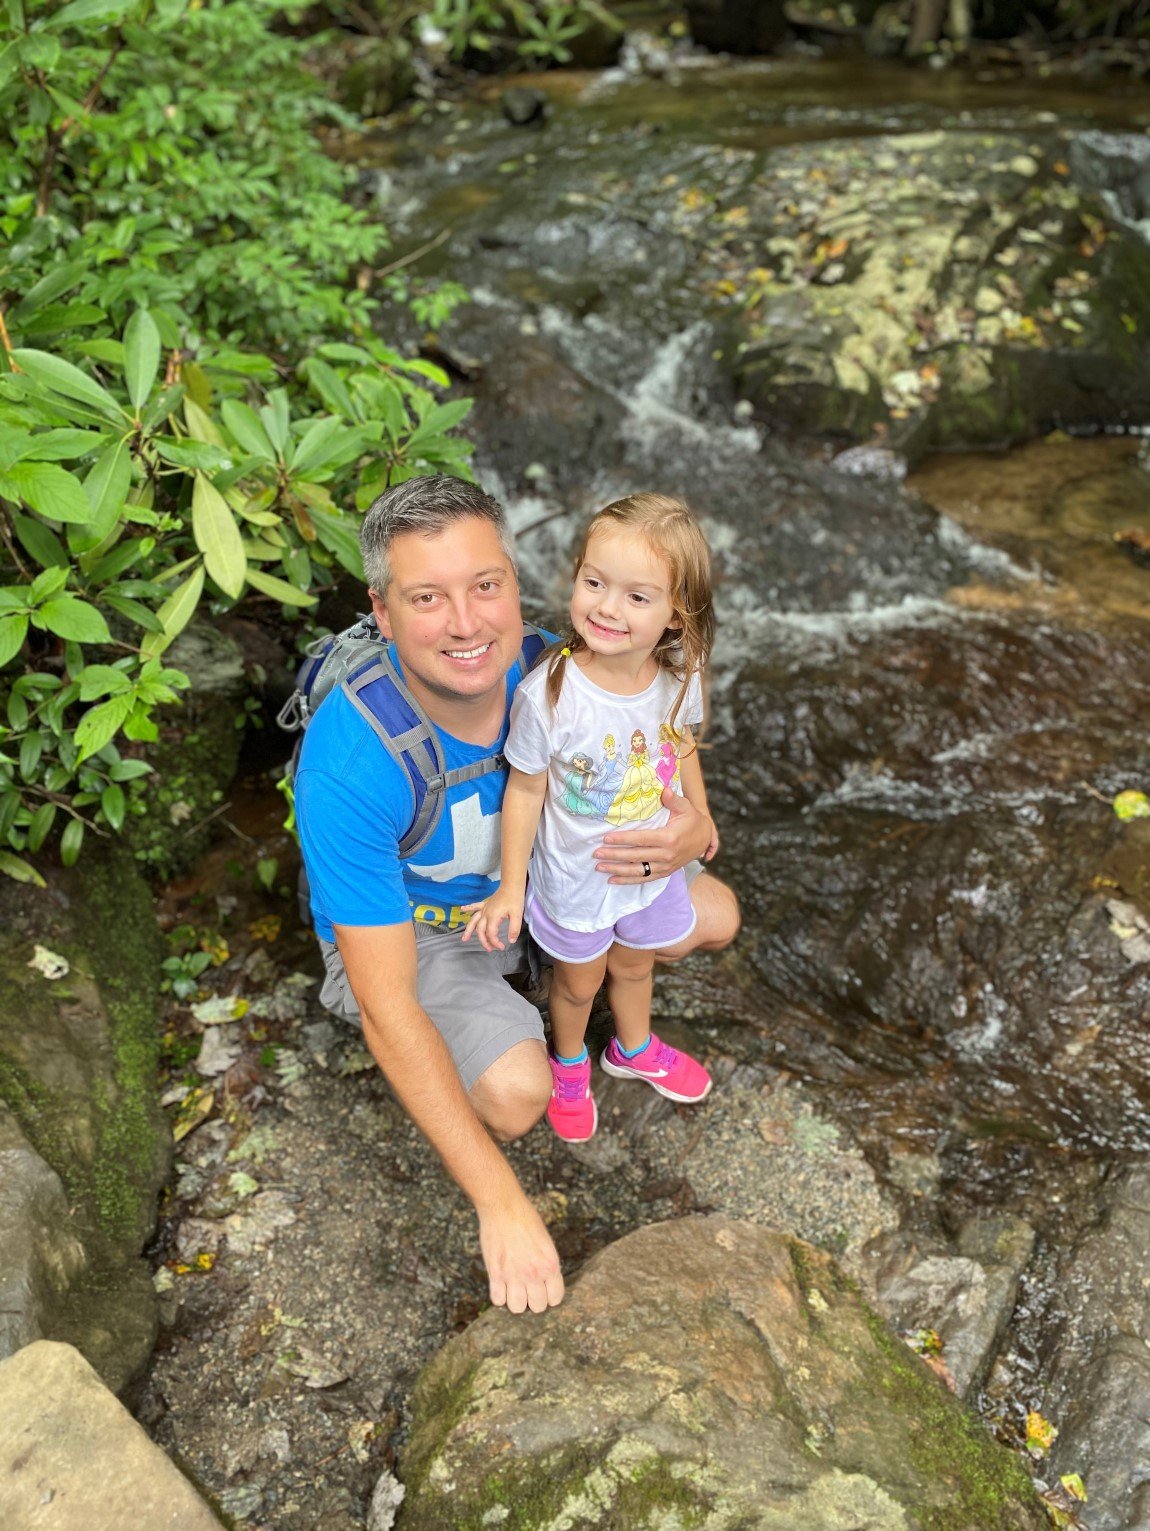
x=523, y=1267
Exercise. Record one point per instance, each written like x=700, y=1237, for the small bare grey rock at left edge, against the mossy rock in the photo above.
x=41, y=1258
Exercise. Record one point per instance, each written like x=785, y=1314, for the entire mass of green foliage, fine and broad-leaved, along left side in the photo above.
x=189, y=390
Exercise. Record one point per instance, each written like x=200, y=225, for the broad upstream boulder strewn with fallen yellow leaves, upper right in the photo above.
x=926, y=278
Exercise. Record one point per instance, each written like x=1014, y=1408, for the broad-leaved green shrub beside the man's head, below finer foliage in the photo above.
x=128, y=506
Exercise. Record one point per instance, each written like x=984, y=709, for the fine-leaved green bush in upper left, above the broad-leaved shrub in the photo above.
x=165, y=154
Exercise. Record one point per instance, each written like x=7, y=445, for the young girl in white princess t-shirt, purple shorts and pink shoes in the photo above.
x=629, y=670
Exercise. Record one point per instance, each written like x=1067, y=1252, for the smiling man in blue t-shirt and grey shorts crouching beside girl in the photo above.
x=462, y=1050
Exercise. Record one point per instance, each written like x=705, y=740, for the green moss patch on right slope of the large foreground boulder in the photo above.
x=949, y=1448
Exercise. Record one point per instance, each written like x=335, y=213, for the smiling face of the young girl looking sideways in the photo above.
x=622, y=599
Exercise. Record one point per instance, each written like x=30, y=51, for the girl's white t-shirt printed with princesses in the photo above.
x=607, y=760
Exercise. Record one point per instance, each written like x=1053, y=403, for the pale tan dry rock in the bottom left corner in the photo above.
x=73, y=1458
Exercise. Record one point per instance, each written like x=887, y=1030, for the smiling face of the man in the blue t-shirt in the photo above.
x=452, y=610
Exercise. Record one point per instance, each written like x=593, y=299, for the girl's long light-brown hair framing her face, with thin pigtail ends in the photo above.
x=670, y=529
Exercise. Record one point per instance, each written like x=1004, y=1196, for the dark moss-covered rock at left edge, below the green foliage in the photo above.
x=79, y=1060
